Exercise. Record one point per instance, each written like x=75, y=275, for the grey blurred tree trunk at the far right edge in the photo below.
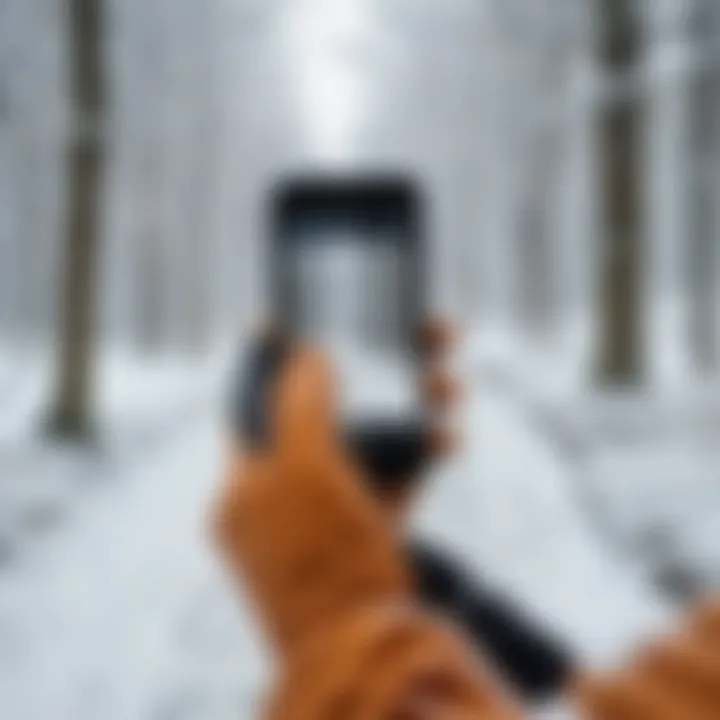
x=703, y=251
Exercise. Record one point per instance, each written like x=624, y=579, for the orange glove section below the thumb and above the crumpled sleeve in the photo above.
x=308, y=545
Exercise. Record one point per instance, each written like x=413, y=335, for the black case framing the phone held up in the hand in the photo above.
x=389, y=452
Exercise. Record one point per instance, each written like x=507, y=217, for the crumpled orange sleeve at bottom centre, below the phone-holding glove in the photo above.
x=389, y=661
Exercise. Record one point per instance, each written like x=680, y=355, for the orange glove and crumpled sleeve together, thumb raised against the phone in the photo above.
x=297, y=523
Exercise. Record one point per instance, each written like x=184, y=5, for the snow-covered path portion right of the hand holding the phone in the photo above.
x=508, y=504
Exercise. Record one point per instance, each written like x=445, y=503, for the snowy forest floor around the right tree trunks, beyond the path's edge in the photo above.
x=644, y=462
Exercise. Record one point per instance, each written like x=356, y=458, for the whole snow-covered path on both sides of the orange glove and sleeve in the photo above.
x=122, y=613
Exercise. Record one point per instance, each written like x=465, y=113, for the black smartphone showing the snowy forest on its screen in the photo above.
x=347, y=275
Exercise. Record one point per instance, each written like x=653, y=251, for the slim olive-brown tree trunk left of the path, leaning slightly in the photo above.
x=71, y=415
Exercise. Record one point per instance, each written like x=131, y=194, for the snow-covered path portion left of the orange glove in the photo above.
x=90, y=617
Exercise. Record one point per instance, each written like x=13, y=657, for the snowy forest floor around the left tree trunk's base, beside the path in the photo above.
x=141, y=405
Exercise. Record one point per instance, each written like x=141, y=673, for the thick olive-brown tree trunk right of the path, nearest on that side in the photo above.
x=620, y=361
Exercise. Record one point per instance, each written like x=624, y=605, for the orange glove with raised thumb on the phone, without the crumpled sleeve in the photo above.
x=296, y=522
